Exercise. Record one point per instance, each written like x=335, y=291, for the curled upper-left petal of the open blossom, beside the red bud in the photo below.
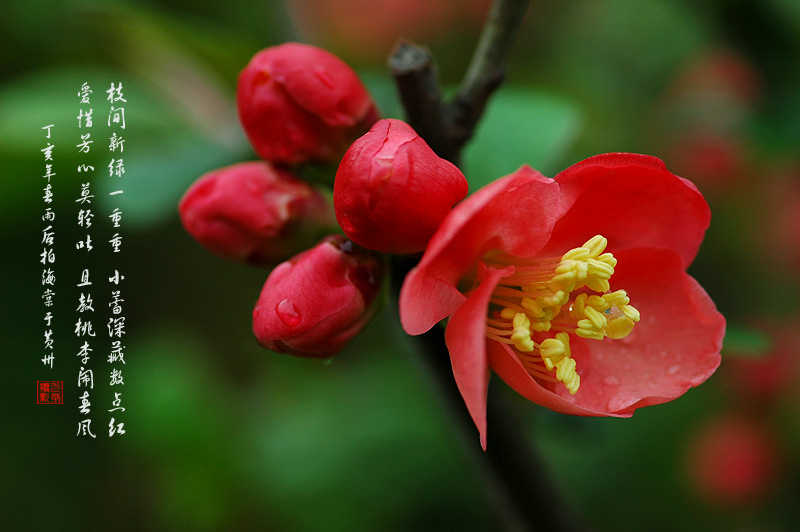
x=515, y=214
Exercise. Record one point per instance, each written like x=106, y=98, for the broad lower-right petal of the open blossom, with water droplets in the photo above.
x=674, y=347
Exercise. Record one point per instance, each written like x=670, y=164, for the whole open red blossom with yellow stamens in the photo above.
x=573, y=290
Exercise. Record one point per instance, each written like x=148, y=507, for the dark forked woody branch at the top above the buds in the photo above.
x=447, y=127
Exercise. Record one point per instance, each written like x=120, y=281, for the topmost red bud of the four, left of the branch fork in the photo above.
x=299, y=103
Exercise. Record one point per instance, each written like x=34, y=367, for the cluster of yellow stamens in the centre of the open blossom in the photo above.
x=566, y=295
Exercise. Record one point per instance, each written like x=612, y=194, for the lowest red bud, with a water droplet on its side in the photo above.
x=314, y=303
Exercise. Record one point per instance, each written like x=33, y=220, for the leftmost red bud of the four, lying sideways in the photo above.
x=254, y=212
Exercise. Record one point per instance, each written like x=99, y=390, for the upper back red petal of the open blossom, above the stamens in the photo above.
x=632, y=200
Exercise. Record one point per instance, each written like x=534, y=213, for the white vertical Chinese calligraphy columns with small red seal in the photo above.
x=92, y=262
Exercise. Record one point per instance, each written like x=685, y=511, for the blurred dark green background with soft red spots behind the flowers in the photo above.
x=225, y=436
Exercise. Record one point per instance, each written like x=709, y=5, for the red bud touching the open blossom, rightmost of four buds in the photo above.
x=392, y=191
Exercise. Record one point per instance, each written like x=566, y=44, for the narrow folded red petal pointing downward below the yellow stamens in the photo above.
x=467, y=345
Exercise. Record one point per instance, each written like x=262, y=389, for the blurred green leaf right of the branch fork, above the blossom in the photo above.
x=521, y=127
